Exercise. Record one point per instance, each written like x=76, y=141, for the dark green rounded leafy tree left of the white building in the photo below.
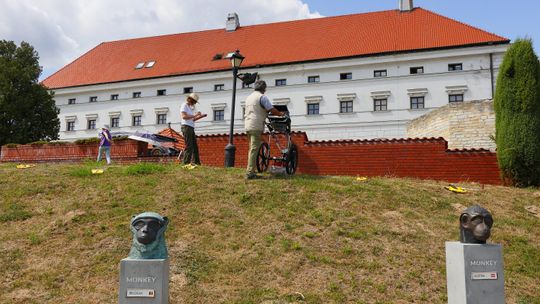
x=27, y=109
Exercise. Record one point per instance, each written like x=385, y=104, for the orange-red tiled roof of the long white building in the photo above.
x=270, y=44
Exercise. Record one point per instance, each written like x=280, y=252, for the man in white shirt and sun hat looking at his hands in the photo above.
x=189, y=117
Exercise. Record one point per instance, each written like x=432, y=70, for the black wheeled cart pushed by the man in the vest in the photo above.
x=288, y=155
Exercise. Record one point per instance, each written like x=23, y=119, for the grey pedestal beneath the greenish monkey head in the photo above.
x=144, y=281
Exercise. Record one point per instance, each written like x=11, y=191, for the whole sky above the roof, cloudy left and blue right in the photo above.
x=63, y=30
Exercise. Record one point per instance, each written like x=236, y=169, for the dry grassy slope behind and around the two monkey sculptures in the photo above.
x=333, y=240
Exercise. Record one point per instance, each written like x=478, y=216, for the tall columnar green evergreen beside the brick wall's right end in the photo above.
x=517, y=120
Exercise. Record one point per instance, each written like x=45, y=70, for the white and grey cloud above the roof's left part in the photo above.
x=61, y=31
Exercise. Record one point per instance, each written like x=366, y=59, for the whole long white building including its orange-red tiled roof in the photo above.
x=355, y=76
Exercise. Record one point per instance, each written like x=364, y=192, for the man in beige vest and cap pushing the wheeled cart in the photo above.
x=257, y=107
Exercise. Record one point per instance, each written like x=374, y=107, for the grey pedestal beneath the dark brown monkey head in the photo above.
x=474, y=273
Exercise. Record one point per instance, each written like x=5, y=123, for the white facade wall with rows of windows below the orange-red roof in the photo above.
x=363, y=123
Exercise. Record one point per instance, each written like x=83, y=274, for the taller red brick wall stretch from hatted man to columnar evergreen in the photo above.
x=426, y=158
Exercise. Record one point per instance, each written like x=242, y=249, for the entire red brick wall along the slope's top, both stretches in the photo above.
x=426, y=158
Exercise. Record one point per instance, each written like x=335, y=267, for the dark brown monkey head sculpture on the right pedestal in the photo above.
x=475, y=225
